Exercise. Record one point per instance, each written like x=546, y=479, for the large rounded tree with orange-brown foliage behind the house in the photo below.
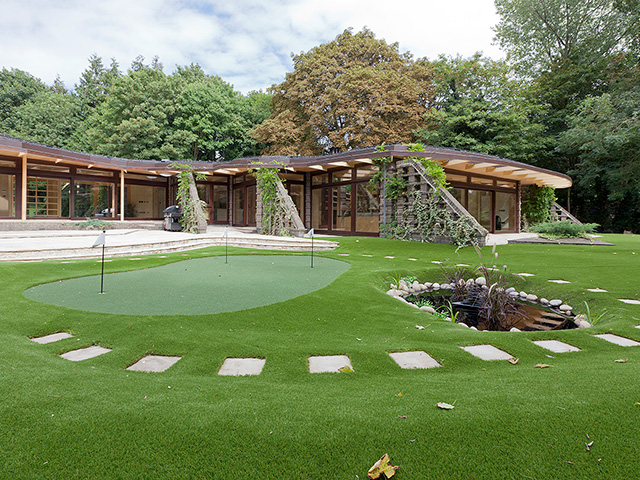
x=352, y=92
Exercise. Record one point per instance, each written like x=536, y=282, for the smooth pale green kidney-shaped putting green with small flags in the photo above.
x=194, y=287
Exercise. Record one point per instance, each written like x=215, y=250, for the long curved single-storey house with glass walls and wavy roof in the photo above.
x=329, y=192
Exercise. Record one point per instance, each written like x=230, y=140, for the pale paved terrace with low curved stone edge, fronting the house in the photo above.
x=34, y=245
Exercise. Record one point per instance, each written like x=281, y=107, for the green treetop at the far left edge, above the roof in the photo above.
x=16, y=88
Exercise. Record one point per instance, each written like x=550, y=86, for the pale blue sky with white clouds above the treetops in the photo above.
x=246, y=42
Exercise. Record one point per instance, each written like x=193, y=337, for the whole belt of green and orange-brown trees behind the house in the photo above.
x=567, y=98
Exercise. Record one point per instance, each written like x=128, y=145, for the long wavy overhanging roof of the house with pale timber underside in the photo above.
x=453, y=160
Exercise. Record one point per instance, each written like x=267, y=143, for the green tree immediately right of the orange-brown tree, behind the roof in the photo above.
x=480, y=107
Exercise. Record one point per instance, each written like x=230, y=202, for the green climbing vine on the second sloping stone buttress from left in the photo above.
x=275, y=217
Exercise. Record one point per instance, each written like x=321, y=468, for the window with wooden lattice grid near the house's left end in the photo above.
x=47, y=197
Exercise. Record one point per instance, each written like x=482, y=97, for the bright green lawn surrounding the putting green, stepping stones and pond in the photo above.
x=94, y=419
